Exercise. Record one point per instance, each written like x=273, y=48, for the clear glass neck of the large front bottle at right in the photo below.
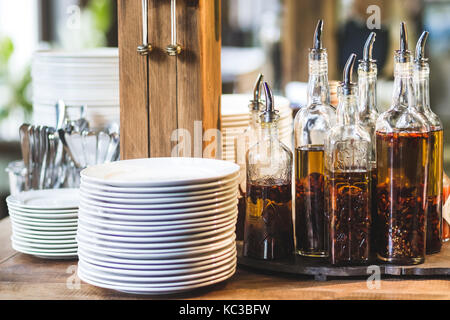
x=403, y=86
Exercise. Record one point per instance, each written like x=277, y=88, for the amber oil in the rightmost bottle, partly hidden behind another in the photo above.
x=435, y=193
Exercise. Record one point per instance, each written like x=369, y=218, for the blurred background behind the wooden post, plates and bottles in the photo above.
x=269, y=36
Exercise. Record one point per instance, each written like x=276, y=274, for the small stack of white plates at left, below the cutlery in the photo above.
x=44, y=222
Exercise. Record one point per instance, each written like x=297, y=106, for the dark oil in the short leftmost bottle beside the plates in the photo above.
x=268, y=227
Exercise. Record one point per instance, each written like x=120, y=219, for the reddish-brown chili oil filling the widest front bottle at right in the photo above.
x=402, y=201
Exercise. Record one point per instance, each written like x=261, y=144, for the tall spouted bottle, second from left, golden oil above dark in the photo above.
x=311, y=126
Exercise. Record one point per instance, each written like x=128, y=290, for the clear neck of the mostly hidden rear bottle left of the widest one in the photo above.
x=367, y=84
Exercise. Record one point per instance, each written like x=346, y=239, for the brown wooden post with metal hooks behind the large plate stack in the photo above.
x=160, y=93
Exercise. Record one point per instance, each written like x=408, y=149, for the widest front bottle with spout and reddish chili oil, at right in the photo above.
x=402, y=165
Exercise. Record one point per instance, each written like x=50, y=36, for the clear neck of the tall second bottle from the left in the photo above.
x=318, y=87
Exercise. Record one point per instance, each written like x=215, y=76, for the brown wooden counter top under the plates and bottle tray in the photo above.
x=27, y=277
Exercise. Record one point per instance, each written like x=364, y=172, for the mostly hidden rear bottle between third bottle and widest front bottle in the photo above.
x=368, y=113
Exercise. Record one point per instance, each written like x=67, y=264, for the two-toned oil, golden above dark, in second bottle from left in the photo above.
x=310, y=223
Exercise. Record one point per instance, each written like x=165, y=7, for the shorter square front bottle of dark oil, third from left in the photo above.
x=348, y=153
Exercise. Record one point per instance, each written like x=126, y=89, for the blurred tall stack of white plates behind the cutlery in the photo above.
x=89, y=77
